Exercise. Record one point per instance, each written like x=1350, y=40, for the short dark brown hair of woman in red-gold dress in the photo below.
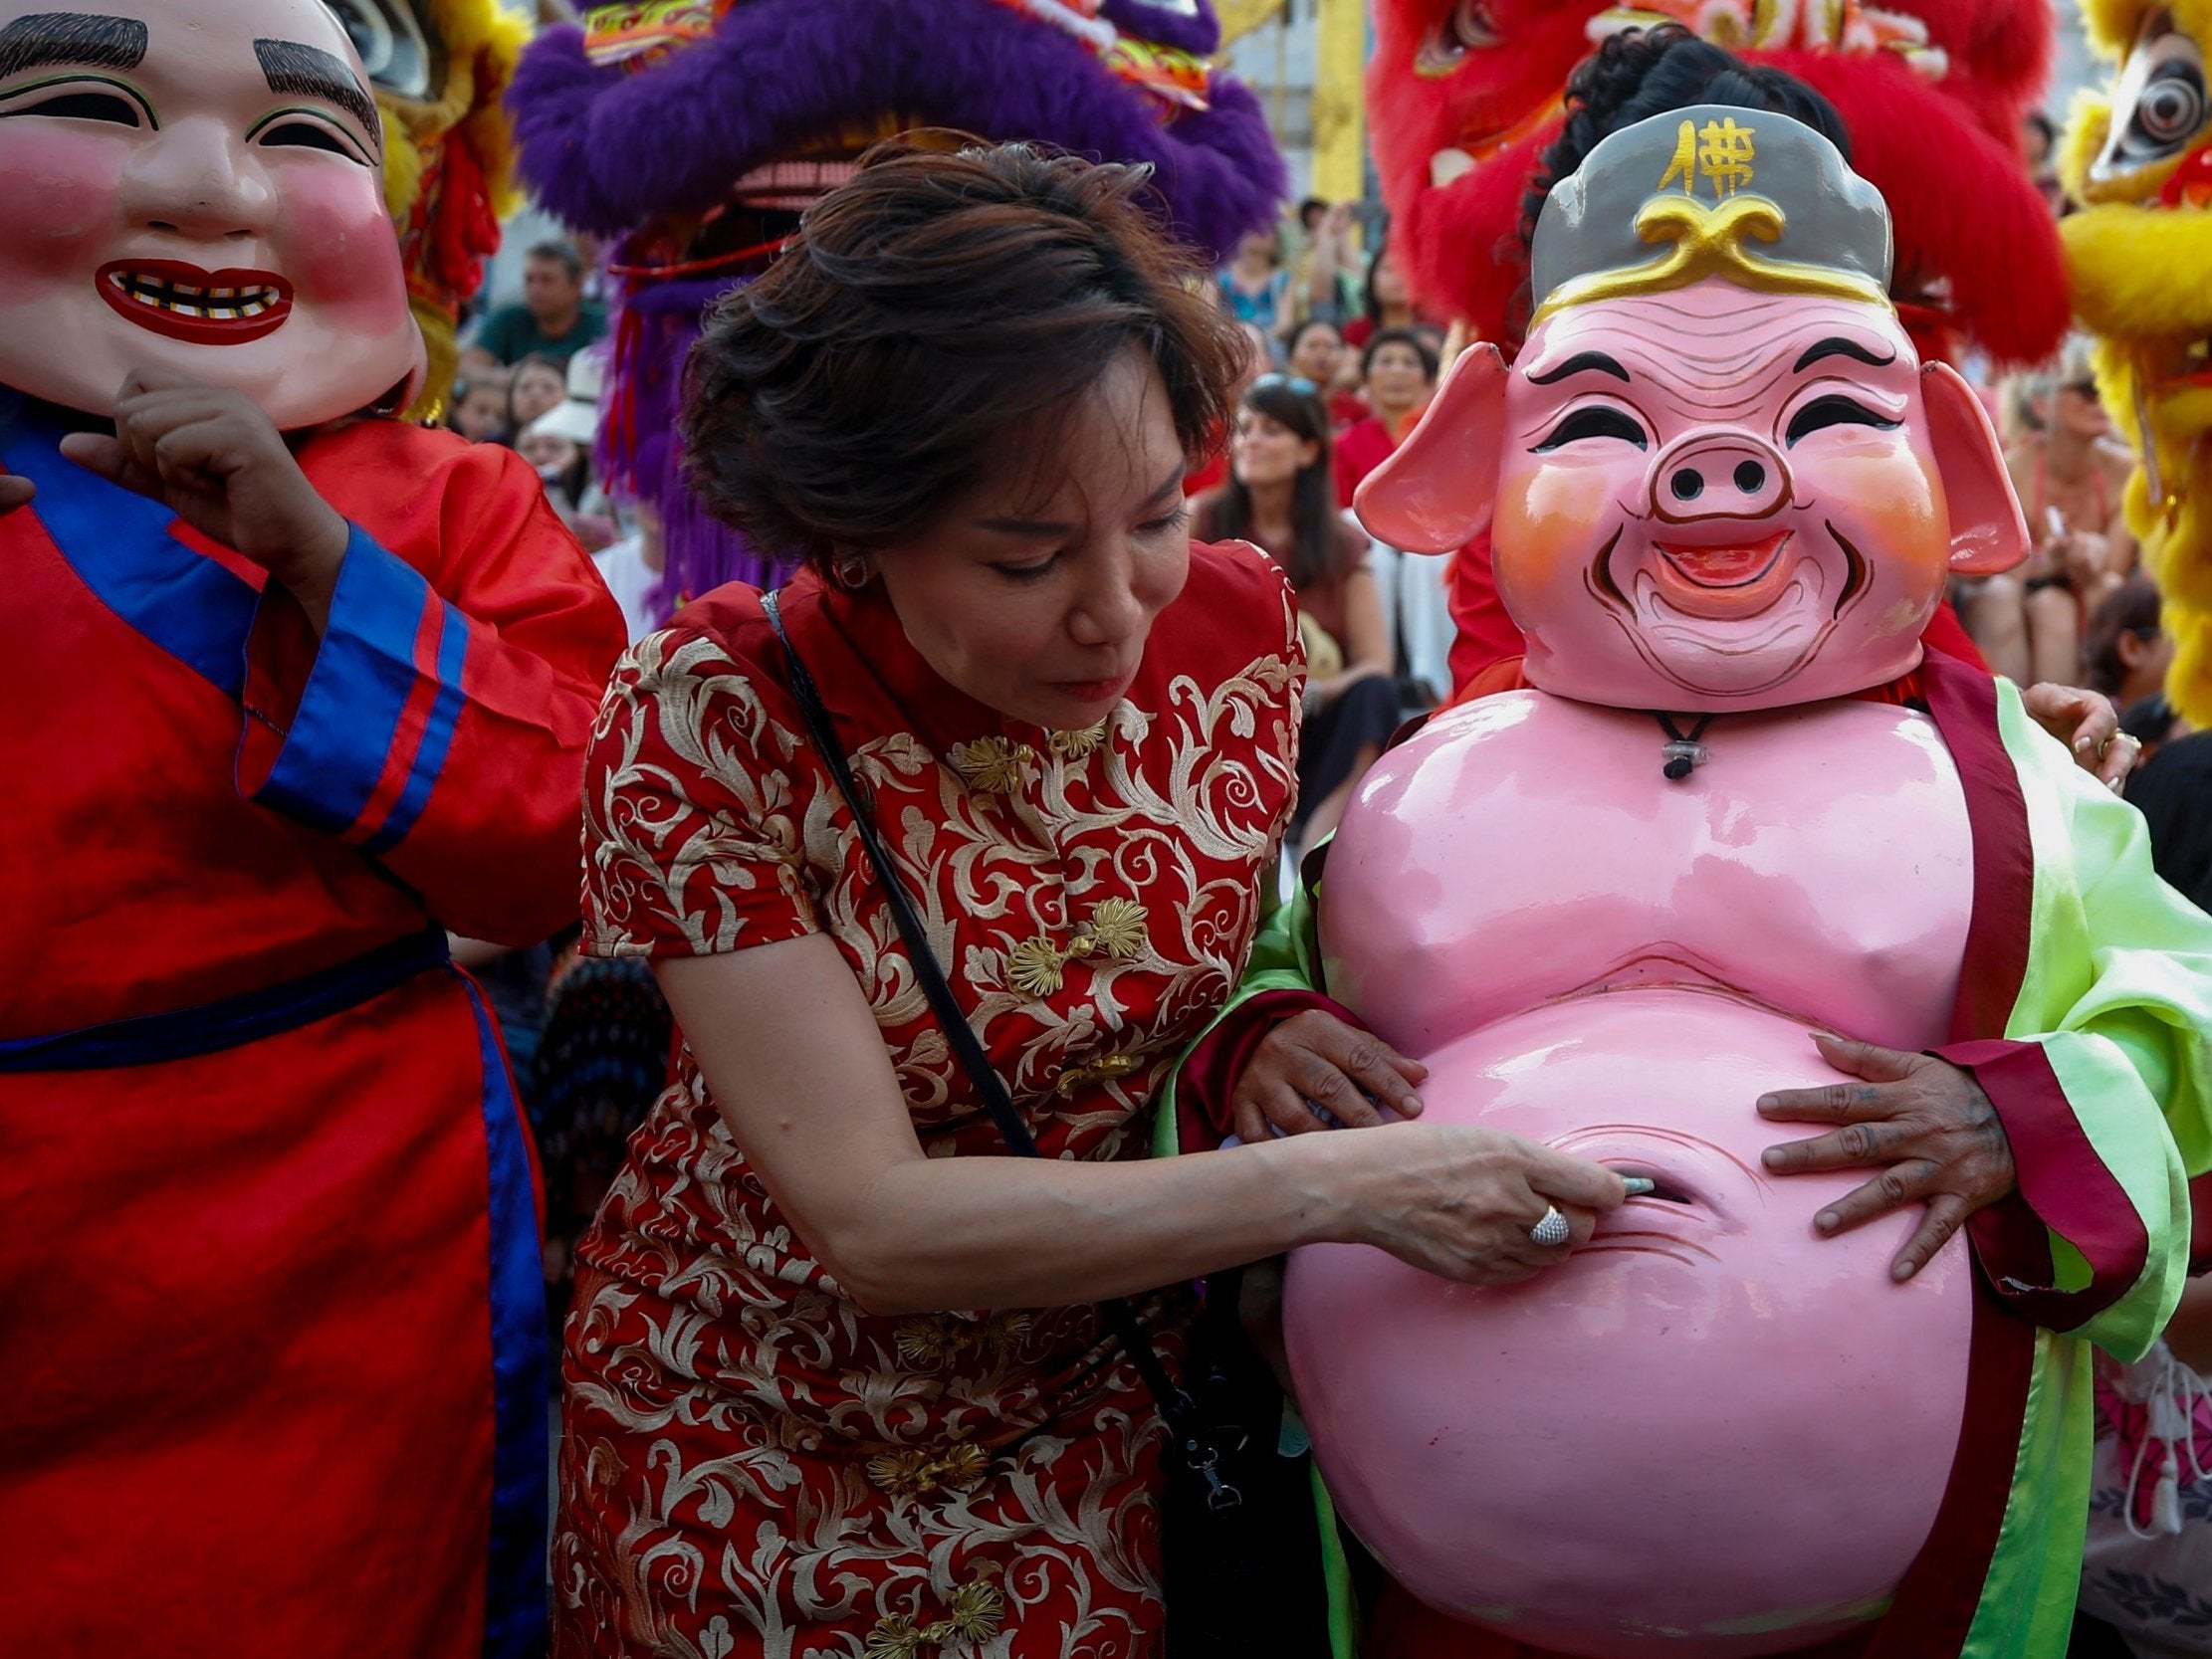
x=930, y=317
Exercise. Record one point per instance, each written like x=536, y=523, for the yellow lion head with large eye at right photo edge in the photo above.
x=2138, y=255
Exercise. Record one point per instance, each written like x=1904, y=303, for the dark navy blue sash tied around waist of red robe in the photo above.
x=231, y=1023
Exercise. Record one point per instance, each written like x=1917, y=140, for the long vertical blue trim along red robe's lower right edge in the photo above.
x=517, y=1594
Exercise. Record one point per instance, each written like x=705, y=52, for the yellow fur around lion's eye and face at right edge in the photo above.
x=2138, y=275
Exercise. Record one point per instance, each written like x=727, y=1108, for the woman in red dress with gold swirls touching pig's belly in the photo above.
x=966, y=395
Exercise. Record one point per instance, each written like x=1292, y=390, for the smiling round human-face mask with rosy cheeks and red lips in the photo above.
x=196, y=187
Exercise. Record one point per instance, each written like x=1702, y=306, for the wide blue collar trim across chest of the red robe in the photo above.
x=121, y=547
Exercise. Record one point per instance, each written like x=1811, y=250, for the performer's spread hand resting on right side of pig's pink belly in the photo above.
x=1923, y=1123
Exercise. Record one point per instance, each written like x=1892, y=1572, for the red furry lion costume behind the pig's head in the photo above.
x=1468, y=94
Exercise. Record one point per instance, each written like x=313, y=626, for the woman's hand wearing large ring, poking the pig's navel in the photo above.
x=1461, y=1200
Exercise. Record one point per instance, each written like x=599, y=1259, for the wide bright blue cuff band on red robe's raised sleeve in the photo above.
x=340, y=740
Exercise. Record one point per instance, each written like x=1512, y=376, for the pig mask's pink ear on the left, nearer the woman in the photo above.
x=1434, y=494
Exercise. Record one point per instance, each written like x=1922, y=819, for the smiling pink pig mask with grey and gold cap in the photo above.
x=1713, y=479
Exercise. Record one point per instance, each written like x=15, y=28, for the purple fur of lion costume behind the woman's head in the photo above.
x=612, y=152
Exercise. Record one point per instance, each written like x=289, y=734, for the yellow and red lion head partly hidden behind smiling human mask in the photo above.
x=441, y=70
